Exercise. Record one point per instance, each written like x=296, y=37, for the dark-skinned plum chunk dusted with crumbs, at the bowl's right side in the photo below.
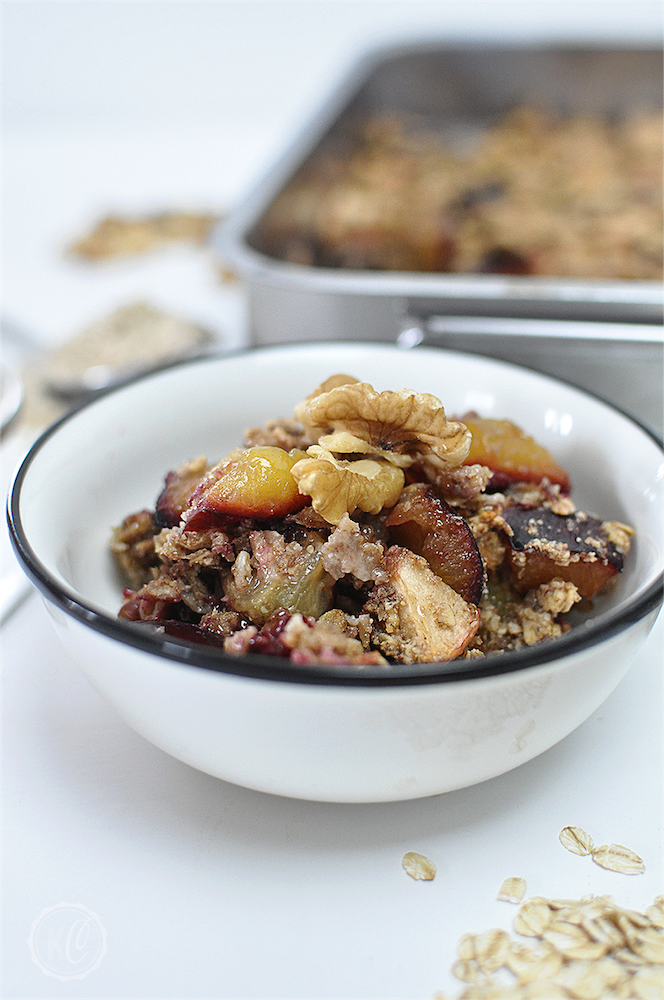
x=546, y=546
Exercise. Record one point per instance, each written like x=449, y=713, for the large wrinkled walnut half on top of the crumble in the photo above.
x=392, y=424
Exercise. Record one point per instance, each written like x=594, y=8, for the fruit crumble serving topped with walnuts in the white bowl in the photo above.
x=370, y=529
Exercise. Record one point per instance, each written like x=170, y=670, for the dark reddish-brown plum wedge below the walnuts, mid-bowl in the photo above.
x=424, y=523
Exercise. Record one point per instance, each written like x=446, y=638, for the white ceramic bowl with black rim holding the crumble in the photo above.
x=329, y=733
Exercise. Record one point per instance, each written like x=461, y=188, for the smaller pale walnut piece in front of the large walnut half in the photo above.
x=338, y=487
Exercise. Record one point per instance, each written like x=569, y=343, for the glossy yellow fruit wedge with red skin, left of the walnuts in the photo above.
x=254, y=483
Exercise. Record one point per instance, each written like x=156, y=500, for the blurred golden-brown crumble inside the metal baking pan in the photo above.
x=575, y=195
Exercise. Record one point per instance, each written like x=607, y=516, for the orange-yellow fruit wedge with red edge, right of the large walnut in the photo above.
x=511, y=453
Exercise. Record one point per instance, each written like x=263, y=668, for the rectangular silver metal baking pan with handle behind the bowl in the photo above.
x=605, y=336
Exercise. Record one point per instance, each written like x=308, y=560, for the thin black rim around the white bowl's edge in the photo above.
x=262, y=667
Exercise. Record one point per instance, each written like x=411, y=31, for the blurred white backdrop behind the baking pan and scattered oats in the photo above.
x=130, y=105
